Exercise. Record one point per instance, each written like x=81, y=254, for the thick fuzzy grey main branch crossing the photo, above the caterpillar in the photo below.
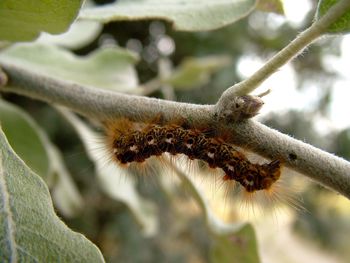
x=327, y=169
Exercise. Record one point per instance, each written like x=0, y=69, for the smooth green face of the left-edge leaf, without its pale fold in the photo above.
x=26, y=138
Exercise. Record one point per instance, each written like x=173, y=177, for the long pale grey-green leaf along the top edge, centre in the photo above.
x=185, y=15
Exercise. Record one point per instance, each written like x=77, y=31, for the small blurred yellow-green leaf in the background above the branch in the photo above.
x=196, y=71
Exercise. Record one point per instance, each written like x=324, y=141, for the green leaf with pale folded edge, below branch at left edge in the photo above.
x=33, y=146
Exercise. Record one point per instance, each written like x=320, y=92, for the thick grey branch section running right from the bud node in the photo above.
x=322, y=167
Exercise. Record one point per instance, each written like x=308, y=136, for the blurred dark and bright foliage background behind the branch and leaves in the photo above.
x=207, y=63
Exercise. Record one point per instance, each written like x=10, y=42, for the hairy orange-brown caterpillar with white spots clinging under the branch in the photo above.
x=135, y=142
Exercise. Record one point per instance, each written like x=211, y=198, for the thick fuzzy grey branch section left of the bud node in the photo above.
x=96, y=103
